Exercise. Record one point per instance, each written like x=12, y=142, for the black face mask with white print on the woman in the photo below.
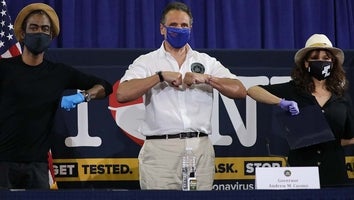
x=320, y=69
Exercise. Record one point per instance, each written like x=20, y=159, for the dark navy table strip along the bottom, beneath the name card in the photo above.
x=328, y=193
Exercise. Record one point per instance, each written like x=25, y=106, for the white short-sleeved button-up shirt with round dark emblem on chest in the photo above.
x=171, y=110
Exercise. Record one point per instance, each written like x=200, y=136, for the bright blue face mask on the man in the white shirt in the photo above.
x=177, y=37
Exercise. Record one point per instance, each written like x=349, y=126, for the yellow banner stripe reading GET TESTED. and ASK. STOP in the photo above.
x=126, y=169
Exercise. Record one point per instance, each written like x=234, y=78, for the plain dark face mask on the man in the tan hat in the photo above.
x=36, y=43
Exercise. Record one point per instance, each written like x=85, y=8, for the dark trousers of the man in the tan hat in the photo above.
x=24, y=175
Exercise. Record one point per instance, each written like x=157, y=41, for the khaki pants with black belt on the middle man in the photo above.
x=160, y=163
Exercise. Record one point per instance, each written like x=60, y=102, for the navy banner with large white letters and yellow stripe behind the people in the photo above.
x=97, y=144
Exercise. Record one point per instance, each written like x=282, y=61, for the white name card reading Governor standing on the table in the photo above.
x=285, y=178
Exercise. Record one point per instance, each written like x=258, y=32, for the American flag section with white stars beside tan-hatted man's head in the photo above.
x=9, y=46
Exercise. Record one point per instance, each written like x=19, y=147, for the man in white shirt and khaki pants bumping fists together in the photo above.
x=178, y=85
